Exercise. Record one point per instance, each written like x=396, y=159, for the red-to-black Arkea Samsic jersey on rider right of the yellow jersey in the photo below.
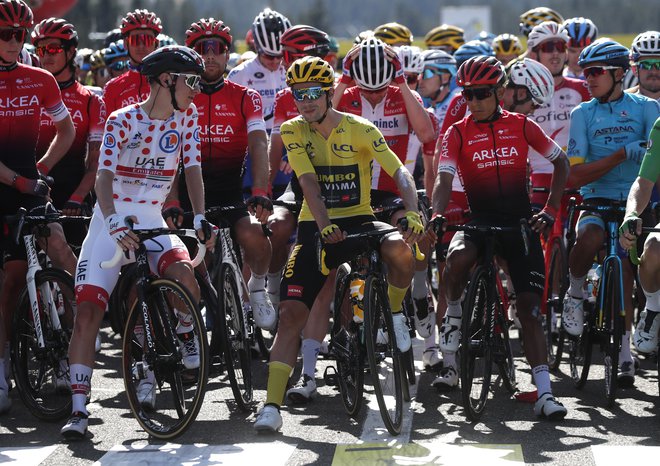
x=491, y=160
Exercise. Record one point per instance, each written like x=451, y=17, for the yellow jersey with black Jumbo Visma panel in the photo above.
x=342, y=163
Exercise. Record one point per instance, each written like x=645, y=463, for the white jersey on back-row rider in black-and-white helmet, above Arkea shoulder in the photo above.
x=253, y=75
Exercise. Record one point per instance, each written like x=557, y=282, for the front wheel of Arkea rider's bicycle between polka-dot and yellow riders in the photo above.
x=236, y=342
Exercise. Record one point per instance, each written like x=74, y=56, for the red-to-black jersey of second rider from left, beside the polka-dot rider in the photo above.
x=88, y=114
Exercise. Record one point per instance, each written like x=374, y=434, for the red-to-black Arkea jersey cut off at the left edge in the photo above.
x=24, y=92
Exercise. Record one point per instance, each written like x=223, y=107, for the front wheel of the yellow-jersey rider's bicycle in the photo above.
x=383, y=355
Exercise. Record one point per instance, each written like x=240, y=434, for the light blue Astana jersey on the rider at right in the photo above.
x=597, y=130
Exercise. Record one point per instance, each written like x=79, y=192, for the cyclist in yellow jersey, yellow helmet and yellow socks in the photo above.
x=331, y=153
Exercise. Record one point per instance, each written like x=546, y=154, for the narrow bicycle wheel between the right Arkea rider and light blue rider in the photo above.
x=555, y=291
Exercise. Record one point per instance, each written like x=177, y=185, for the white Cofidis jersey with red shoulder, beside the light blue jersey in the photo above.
x=555, y=119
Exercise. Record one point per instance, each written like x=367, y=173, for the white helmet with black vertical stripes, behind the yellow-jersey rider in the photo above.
x=371, y=69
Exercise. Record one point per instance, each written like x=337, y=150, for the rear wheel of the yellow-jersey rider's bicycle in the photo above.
x=346, y=345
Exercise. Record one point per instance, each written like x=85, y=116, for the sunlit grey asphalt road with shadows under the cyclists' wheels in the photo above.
x=435, y=428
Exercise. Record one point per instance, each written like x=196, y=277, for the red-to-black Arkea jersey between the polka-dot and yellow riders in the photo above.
x=228, y=112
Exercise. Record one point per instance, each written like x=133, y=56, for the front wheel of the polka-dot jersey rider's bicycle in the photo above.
x=173, y=381
